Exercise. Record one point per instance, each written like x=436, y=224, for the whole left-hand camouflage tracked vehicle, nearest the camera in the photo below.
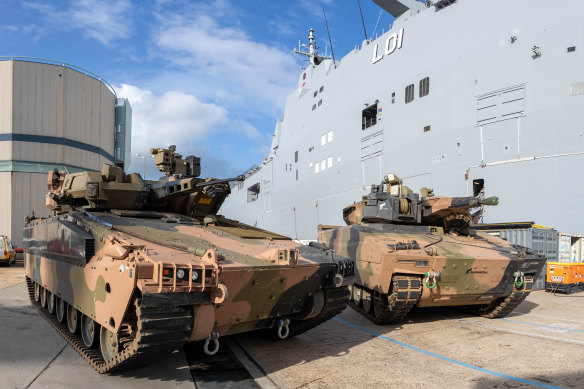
x=125, y=270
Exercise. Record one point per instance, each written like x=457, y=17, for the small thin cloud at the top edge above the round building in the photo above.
x=102, y=20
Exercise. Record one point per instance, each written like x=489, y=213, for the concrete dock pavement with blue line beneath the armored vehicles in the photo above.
x=541, y=344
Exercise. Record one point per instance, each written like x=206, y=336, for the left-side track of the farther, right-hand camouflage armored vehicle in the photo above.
x=405, y=293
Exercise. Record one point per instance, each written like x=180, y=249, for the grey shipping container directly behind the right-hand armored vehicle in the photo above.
x=542, y=240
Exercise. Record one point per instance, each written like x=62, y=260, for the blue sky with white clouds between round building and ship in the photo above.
x=210, y=76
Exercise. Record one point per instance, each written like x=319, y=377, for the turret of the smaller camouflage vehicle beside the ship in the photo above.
x=394, y=203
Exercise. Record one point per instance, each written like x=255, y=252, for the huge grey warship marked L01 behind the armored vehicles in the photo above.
x=458, y=96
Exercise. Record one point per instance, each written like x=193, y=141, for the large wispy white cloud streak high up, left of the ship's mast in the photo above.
x=249, y=73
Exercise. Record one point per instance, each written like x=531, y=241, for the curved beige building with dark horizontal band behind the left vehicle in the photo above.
x=52, y=116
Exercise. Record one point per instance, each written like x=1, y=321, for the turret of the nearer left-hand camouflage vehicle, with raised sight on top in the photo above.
x=182, y=191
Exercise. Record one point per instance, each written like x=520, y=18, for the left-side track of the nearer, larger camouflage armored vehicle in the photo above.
x=159, y=330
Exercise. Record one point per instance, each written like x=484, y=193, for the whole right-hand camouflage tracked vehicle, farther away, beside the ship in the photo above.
x=420, y=251
